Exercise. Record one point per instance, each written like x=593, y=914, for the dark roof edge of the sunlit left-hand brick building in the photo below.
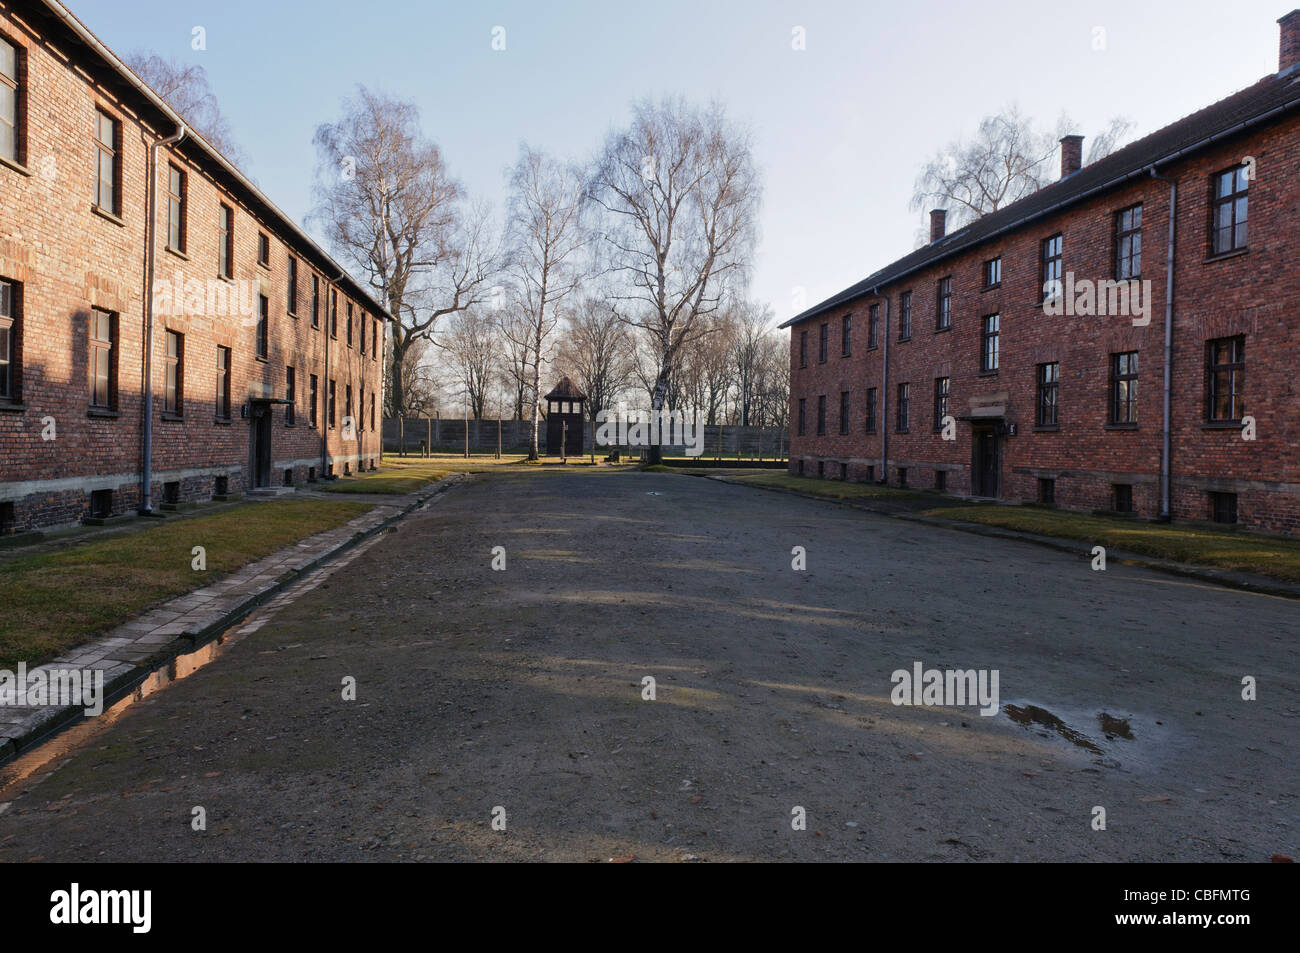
x=124, y=81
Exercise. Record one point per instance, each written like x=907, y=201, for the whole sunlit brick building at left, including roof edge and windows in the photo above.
x=167, y=335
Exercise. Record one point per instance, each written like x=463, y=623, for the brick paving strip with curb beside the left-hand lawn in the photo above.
x=132, y=652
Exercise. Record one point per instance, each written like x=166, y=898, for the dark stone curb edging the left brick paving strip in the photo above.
x=124, y=679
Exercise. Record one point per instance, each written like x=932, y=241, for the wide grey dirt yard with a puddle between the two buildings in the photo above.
x=523, y=690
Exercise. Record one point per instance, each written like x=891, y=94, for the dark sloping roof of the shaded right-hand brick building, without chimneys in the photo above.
x=1260, y=103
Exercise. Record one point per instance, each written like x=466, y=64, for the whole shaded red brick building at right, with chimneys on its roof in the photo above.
x=1074, y=348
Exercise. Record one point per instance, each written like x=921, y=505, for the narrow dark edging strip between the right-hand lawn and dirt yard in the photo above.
x=1247, y=582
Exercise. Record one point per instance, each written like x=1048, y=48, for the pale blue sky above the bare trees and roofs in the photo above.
x=840, y=128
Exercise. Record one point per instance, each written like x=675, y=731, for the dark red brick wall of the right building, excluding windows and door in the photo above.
x=1253, y=294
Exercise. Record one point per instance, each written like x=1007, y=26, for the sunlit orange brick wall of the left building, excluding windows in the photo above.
x=68, y=259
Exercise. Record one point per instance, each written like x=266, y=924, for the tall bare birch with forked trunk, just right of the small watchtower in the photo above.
x=681, y=194
